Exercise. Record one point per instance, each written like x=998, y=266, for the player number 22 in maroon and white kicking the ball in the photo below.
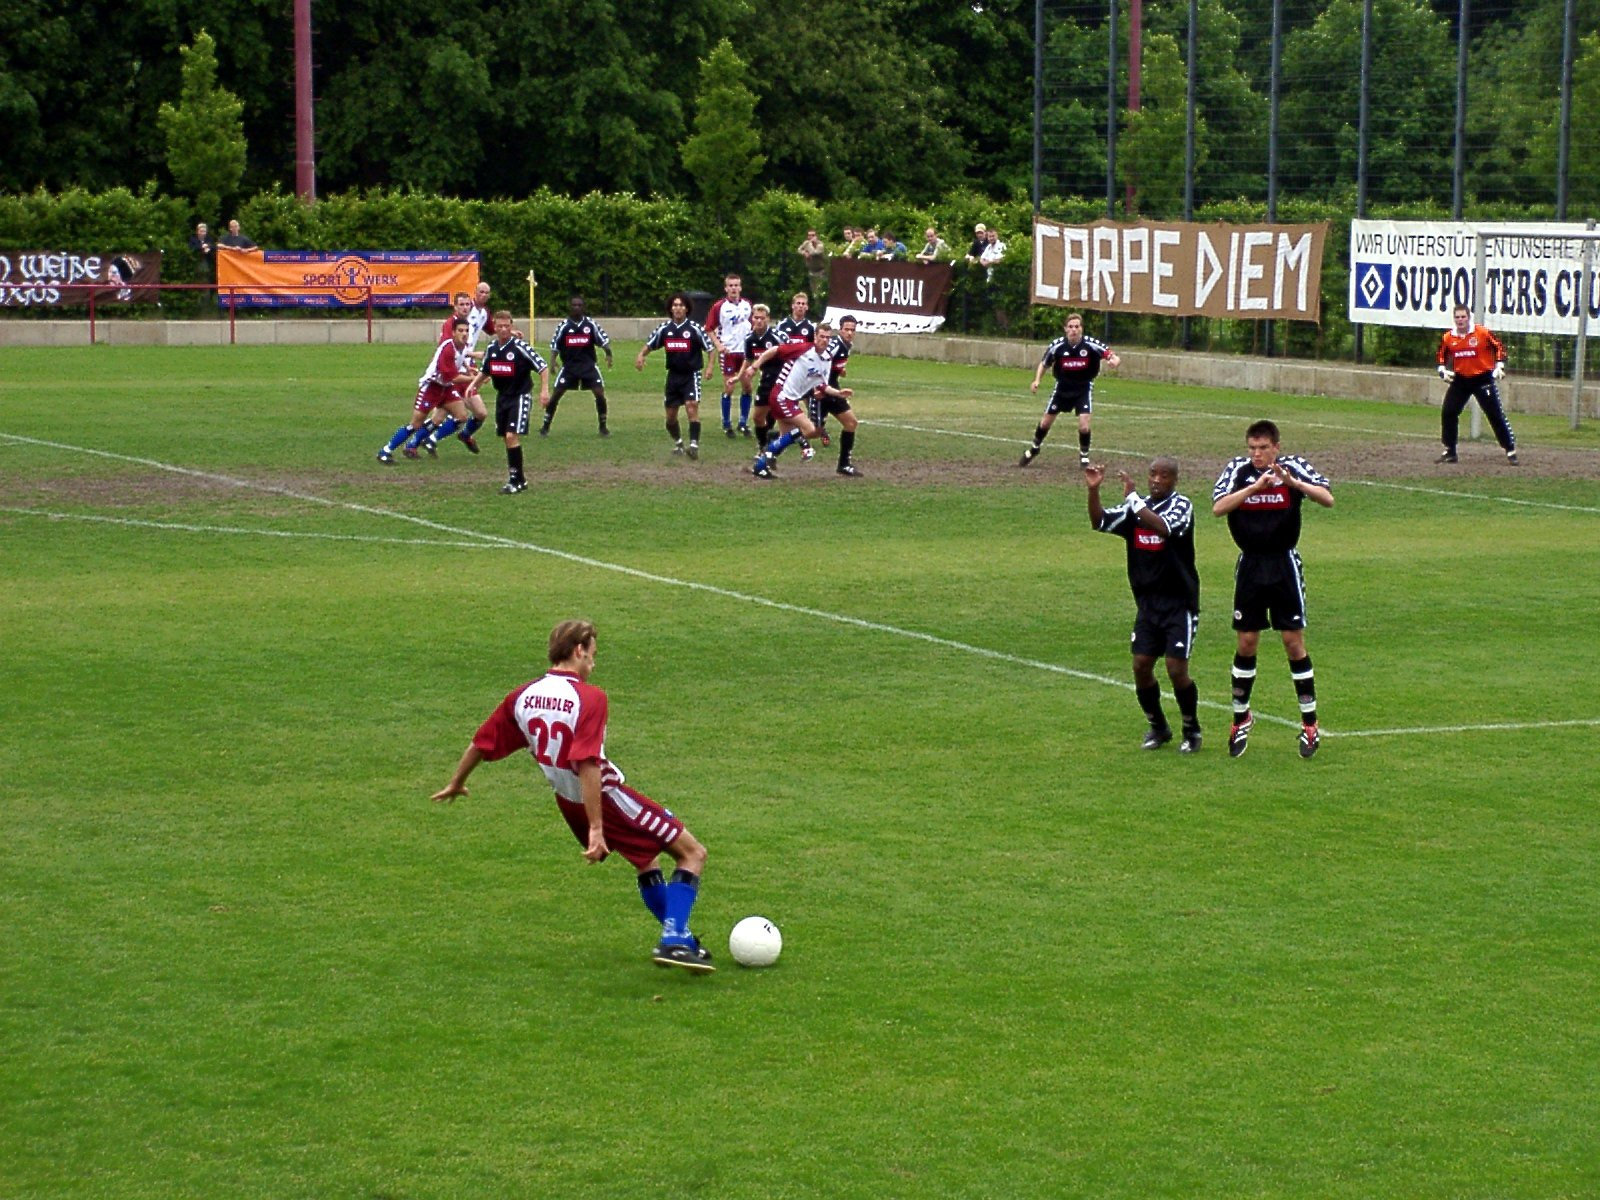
x=561, y=721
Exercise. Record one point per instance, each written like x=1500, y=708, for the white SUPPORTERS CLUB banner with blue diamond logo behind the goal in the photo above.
x=1415, y=273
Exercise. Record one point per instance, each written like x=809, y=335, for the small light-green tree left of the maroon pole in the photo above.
x=206, y=137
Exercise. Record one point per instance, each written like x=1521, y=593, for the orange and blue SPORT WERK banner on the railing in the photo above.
x=311, y=279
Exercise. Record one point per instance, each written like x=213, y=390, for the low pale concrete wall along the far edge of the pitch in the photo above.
x=1290, y=377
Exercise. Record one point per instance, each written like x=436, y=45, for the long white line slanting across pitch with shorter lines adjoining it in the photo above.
x=495, y=542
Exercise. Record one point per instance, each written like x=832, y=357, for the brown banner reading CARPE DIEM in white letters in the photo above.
x=1182, y=270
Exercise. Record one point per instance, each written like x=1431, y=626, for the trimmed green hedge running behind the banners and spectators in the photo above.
x=626, y=254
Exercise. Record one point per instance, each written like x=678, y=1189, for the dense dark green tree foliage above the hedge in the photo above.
x=902, y=98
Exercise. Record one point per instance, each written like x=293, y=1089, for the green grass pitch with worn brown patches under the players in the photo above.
x=244, y=956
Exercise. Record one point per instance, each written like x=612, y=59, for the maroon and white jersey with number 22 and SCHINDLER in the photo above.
x=559, y=721
